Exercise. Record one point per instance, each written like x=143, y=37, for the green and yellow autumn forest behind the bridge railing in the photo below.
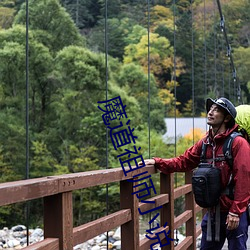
x=162, y=57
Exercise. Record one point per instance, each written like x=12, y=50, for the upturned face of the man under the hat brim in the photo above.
x=215, y=116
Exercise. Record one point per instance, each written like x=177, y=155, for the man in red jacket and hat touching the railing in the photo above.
x=221, y=115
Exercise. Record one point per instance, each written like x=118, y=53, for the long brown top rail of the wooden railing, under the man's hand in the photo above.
x=24, y=190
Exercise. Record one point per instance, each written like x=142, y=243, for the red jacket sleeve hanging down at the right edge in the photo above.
x=241, y=175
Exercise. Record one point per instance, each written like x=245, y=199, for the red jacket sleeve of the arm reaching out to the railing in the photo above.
x=185, y=162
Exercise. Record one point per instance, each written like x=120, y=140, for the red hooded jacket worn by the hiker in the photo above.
x=241, y=167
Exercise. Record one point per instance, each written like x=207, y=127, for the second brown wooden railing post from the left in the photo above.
x=129, y=230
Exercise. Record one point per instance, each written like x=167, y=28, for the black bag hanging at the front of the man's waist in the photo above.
x=206, y=182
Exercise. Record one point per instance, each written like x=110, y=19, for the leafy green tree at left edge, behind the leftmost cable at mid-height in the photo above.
x=40, y=60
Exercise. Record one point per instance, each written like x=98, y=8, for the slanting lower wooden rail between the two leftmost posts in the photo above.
x=90, y=230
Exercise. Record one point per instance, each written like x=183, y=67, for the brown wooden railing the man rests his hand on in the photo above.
x=59, y=232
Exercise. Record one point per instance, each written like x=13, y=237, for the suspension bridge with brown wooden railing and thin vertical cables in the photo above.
x=56, y=192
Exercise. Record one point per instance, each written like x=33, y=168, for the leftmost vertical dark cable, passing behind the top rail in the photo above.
x=27, y=112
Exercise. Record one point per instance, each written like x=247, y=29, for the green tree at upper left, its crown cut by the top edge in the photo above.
x=53, y=25
